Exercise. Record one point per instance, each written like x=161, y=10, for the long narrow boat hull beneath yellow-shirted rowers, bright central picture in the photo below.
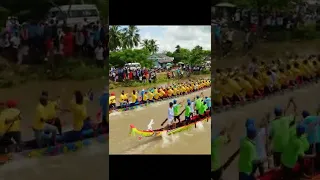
x=141, y=104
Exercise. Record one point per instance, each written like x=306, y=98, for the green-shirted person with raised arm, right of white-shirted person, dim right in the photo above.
x=279, y=133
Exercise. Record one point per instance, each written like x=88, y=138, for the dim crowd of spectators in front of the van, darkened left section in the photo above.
x=35, y=42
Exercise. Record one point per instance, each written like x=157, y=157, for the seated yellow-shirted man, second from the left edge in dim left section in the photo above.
x=40, y=127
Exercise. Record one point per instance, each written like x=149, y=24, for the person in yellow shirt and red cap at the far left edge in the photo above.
x=10, y=125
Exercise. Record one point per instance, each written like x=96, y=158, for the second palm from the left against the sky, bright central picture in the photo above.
x=131, y=37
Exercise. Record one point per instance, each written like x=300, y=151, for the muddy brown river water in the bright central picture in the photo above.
x=121, y=143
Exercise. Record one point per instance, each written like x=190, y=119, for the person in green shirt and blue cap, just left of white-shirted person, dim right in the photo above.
x=247, y=157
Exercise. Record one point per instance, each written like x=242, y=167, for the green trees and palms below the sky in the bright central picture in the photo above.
x=124, y=41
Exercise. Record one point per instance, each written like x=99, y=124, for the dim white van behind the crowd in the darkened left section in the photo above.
x=77, y=13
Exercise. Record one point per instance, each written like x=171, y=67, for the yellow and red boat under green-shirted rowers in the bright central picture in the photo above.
x=179, y=127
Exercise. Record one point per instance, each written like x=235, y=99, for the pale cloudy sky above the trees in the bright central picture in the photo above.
x=168, y=37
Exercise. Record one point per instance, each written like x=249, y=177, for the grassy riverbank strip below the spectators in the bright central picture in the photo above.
x=161, y=79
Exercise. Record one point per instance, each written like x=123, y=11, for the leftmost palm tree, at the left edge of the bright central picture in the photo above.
x=115, y=38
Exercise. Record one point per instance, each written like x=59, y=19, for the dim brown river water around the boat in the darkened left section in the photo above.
x=88, y=163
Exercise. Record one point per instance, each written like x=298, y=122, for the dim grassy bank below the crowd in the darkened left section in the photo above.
x=78, y=70
